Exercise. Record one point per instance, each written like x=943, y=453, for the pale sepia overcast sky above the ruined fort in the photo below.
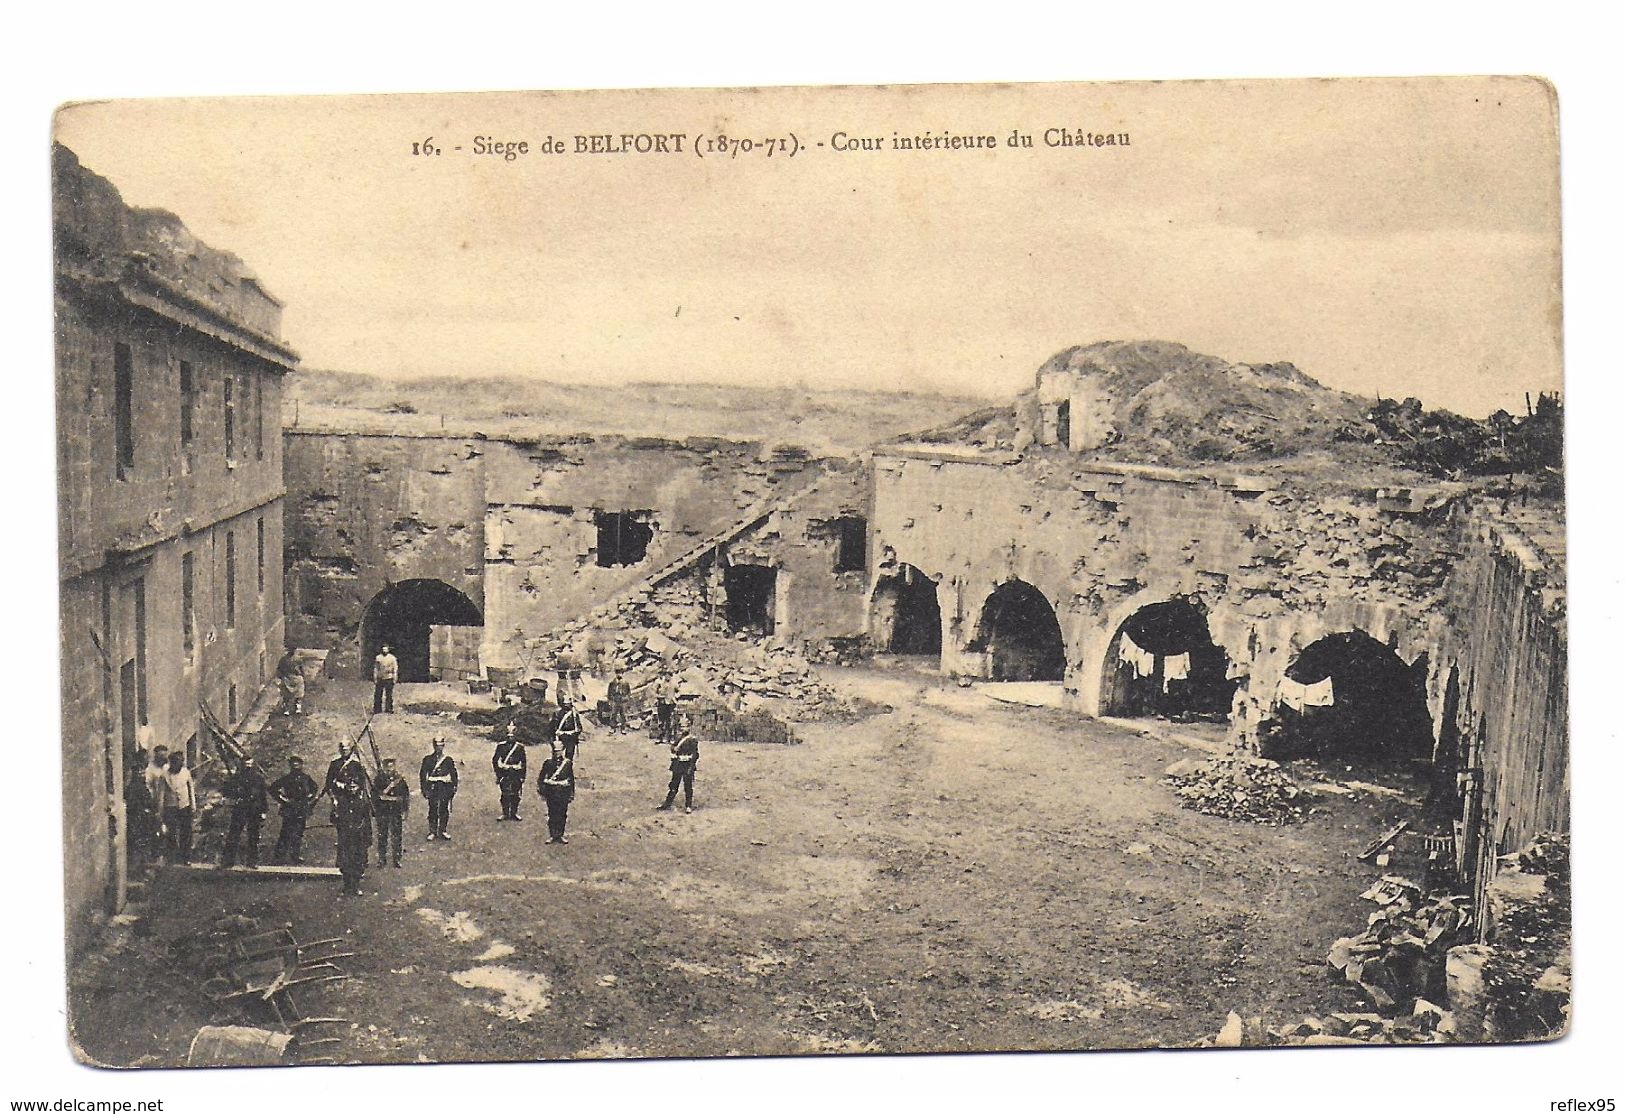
x=1390, y=238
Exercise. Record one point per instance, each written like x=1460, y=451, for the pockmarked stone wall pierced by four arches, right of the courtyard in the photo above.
x=1273, y=568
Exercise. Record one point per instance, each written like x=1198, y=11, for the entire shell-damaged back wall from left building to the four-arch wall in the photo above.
x=461, y=548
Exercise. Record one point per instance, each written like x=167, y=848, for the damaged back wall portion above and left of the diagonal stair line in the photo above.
x=516, y=527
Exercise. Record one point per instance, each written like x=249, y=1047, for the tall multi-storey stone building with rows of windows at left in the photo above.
x=170, y=470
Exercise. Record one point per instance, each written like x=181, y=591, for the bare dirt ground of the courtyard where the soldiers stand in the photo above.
x=955, y=874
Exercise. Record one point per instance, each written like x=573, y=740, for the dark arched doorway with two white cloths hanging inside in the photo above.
x=1163, y=662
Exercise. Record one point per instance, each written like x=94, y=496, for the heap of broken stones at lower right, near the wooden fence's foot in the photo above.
x=1402, y=956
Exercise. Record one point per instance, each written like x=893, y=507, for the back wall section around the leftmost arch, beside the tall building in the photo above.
x=366, y=512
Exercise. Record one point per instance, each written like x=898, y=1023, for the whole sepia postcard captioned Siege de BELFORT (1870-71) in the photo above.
x=812, y=571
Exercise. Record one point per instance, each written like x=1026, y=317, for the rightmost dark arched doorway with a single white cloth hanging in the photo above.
x=1351, y=696
